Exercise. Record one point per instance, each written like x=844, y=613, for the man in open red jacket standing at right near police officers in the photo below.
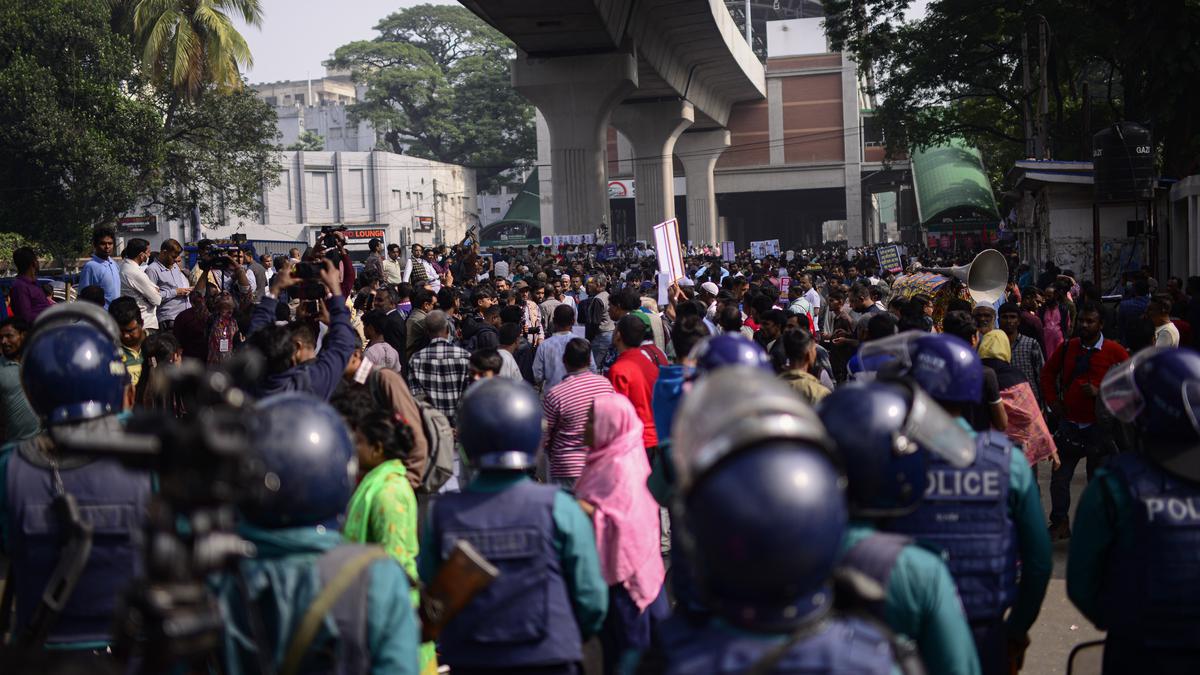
x=1071, y=381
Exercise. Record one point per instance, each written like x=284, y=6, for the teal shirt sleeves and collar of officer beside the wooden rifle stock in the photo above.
x=575, y=542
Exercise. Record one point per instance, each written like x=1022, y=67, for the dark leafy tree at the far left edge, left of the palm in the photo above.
x=75, y=141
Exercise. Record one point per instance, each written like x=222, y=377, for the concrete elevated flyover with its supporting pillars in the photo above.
x=652, y=69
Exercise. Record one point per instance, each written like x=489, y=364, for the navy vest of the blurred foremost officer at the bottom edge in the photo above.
x=841, y=646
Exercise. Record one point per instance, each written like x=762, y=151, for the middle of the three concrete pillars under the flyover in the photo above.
x=653, y=128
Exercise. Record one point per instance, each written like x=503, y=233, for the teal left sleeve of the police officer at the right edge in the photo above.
x=1103, y=522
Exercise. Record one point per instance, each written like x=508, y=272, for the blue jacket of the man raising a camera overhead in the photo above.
x=322, y=375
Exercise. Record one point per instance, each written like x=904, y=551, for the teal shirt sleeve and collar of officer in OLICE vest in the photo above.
x=1033, y=542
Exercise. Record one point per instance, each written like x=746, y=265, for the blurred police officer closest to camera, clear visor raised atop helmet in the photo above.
x=763, y=515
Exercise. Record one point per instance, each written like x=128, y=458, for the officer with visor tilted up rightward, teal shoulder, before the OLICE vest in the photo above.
x=886, y=435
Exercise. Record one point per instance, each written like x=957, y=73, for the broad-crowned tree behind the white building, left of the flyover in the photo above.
x=439, y=87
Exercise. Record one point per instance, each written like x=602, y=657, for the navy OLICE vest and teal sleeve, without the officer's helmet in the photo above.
x=985, y=518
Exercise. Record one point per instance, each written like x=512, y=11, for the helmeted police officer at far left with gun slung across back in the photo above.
x=76, y=383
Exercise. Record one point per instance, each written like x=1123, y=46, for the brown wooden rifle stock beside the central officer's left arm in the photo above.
x=464, y=576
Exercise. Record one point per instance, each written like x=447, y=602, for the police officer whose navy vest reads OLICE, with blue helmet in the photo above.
x=987, y=518
